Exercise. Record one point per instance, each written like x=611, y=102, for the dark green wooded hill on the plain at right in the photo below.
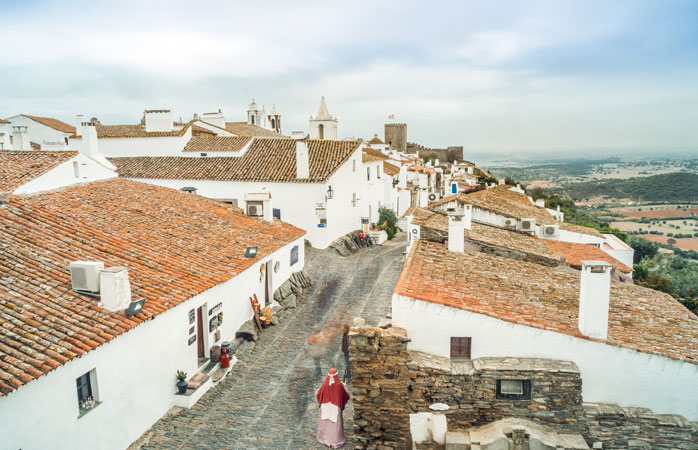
x=670, y=187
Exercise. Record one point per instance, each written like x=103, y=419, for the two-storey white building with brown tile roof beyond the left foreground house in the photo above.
x=317, y=185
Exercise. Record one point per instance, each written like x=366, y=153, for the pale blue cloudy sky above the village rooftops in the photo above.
x=501, y=76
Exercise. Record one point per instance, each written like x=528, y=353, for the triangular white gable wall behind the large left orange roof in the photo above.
x=64, y=175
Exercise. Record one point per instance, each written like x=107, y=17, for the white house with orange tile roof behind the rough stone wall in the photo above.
x=634, y=346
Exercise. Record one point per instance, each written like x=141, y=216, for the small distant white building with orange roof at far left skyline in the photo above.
x=26, y=132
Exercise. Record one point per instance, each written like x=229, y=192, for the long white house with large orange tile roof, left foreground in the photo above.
x=61, y=346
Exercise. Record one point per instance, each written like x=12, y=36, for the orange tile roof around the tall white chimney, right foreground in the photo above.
x=529, y=294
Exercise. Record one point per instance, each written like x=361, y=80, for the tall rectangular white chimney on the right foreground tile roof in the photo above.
x=594, y=296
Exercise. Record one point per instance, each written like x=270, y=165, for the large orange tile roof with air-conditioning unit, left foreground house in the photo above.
x=155, y=232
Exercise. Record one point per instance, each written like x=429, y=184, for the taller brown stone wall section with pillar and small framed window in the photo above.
x=390, y=383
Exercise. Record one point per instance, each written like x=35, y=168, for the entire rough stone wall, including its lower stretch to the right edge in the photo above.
x=390, y=383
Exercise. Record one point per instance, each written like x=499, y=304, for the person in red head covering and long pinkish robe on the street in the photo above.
x=332, y=397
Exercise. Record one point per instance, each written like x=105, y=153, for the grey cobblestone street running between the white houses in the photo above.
x=268, y=399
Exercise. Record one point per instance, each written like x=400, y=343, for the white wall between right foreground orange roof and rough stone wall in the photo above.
x=609, y=374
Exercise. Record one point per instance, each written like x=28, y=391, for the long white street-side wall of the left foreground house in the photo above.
x=135, y=373
